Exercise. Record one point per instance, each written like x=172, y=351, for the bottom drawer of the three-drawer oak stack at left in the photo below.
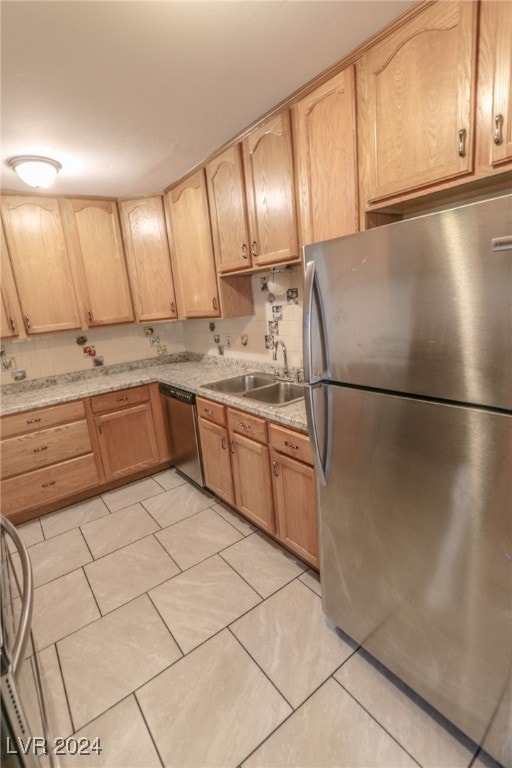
x=44, y=486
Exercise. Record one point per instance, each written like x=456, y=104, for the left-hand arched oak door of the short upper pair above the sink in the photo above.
x=228, y=210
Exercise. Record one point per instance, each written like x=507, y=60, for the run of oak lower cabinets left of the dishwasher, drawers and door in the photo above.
x=57, y=455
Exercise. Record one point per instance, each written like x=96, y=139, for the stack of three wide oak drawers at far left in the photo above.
x=47, y=455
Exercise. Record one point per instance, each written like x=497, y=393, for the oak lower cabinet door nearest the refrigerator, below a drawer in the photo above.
x=295, y=497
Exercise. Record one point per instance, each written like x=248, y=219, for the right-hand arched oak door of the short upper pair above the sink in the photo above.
x=268, y=165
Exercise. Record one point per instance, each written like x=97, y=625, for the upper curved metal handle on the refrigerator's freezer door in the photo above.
x=312, y=301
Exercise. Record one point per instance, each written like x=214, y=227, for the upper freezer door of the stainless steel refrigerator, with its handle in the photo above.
x=422, y=306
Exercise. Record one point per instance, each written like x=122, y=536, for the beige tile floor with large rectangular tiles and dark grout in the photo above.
x=180, y=635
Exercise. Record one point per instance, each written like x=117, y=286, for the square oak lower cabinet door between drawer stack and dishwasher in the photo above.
x=127, y=440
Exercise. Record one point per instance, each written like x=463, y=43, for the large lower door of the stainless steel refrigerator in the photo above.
x=416, y=550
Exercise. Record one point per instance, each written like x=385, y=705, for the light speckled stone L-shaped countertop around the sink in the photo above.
x=179, y=372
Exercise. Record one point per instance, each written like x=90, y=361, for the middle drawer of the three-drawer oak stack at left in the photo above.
x=47, y=446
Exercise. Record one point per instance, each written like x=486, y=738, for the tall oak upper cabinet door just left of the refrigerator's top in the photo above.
x=325, y=144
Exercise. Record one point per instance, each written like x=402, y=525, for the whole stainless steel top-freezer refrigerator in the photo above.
x=408, y=368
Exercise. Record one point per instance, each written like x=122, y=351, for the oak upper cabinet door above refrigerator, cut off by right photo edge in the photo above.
x=495, y=86
